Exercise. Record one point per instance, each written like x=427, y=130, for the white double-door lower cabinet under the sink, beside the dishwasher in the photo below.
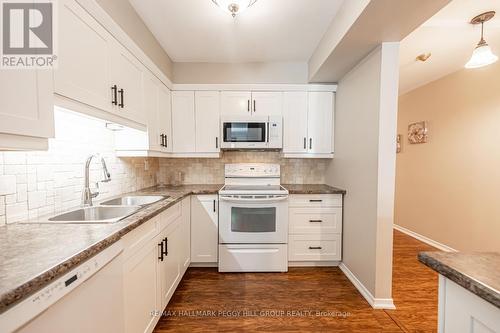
x=156, y=255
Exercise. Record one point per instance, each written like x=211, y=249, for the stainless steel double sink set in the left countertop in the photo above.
x=109, y=211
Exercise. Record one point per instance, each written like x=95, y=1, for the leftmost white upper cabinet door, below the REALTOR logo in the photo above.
x=26, y=106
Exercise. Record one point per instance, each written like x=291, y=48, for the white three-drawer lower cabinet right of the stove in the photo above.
x=315, y=230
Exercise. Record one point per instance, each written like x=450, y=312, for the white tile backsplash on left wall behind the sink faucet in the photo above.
x=33, y=184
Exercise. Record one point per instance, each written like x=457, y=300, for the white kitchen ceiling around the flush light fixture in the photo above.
x=269, y=31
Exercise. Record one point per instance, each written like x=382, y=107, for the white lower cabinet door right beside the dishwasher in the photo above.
x=139, y=285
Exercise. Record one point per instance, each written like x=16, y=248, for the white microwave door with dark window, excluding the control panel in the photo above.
x=244, y=134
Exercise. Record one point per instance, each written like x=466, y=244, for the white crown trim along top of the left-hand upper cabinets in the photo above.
x=101, y=16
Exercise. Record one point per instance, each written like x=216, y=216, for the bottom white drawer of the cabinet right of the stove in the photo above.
x=314, y=247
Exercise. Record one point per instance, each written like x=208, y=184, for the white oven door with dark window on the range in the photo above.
x=253, y=219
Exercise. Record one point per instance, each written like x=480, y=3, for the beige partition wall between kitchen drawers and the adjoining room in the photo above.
x=364, y=164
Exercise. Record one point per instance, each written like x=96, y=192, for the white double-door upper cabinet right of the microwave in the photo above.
x=308, y=124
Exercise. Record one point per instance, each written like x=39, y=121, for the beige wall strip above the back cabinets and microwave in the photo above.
x=288, y=72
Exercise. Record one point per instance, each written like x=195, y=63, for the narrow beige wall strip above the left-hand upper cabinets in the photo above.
x=127, y=18
